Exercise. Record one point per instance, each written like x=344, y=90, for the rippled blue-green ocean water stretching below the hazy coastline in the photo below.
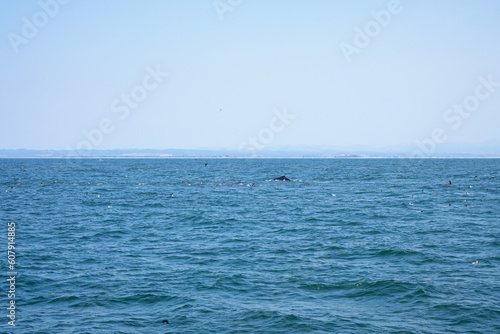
x=348, y=246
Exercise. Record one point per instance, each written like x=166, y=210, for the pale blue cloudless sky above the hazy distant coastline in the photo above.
x=92, y=74
